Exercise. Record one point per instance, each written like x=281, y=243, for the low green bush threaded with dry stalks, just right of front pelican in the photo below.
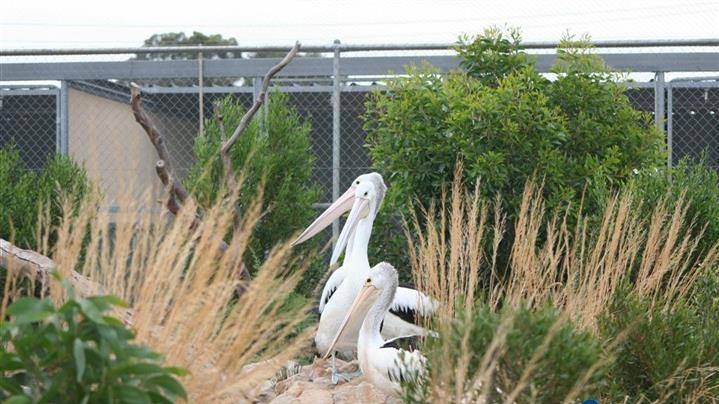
x=539, y=357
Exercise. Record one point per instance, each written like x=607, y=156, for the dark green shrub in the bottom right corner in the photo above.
x=664, y=354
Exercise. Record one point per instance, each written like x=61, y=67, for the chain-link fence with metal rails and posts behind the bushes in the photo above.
x=77, y=103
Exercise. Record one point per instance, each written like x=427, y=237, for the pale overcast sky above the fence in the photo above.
x=97, y=23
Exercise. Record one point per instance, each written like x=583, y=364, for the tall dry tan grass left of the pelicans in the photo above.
x=181, y=289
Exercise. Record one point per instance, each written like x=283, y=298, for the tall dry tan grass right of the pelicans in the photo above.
x=577, y=269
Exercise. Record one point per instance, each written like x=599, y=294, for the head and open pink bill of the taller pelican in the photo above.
x=363, y=199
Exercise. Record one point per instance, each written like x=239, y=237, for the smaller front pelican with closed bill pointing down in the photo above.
x=383, y=363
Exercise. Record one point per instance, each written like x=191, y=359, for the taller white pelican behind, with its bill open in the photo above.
x=363, y=199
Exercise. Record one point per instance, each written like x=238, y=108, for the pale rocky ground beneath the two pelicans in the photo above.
x=311, y=384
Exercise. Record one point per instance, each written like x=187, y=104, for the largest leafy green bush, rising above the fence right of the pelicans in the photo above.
x=507, y=123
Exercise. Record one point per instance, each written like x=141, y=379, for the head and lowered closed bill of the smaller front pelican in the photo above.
x=381, y=283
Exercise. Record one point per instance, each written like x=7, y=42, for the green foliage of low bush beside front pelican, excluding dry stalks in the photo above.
x=565, y=359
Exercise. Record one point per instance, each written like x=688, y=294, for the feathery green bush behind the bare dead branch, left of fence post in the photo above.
x=282, y=157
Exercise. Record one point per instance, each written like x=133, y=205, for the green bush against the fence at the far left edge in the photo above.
x=24, y=192
